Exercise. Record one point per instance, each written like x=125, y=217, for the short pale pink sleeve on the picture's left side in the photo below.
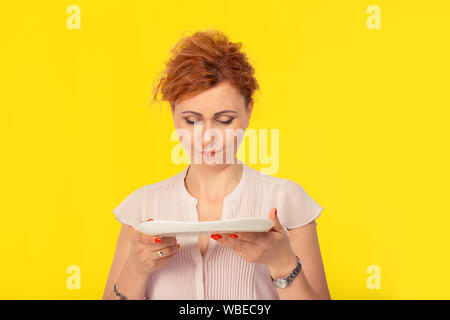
x=130, y=210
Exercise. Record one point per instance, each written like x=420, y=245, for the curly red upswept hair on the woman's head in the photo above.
x=201, y=61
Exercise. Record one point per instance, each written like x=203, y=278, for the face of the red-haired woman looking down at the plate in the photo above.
x=211, y=125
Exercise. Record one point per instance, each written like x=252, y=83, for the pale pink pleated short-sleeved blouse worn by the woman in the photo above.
x=220, y=273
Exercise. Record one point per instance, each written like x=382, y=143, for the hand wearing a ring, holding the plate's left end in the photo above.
x=144, y=252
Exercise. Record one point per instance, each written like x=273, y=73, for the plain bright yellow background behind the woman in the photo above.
x=363, y=119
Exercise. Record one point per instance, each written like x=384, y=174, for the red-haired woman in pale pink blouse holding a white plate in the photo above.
x=209, y=84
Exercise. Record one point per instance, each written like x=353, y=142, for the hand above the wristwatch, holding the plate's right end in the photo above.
x=271, y=248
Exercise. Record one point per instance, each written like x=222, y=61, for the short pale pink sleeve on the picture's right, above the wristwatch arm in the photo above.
x=295, y=207
